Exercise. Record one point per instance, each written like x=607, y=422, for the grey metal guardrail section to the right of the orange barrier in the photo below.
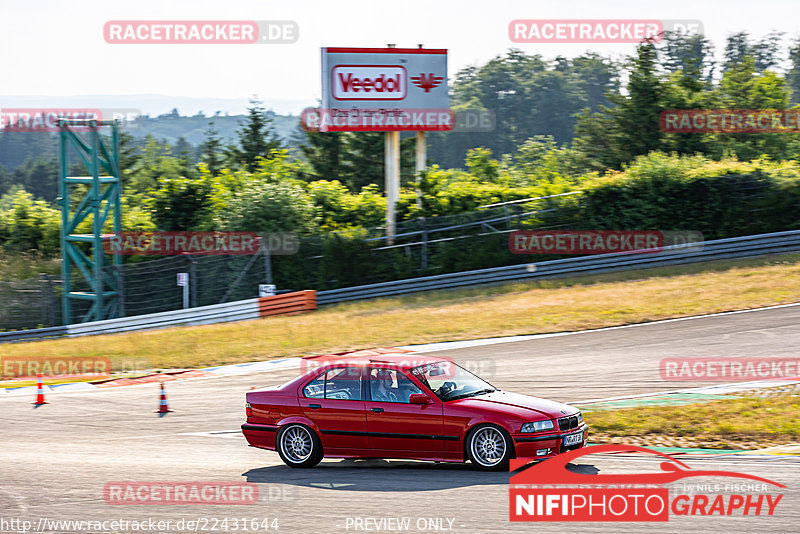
x=732, y=248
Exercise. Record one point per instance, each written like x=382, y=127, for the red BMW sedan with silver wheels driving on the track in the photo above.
x=409, y=407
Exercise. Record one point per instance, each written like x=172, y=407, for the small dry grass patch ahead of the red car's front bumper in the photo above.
x=732, y=423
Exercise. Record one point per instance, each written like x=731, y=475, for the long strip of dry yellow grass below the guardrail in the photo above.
x=511, y=309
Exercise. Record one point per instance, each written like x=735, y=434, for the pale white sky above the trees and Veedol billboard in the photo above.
x=56, y=47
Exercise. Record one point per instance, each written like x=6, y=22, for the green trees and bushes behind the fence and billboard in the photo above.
x=586, y=123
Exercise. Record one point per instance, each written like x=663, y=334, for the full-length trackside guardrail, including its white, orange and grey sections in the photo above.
x=721, y=249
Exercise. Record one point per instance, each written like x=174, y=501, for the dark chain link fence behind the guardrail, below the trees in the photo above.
x=422, y=246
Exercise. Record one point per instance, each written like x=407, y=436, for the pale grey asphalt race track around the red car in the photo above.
x=57, y=458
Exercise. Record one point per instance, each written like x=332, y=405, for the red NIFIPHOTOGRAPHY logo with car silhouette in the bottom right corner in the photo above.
x=549, y=491
